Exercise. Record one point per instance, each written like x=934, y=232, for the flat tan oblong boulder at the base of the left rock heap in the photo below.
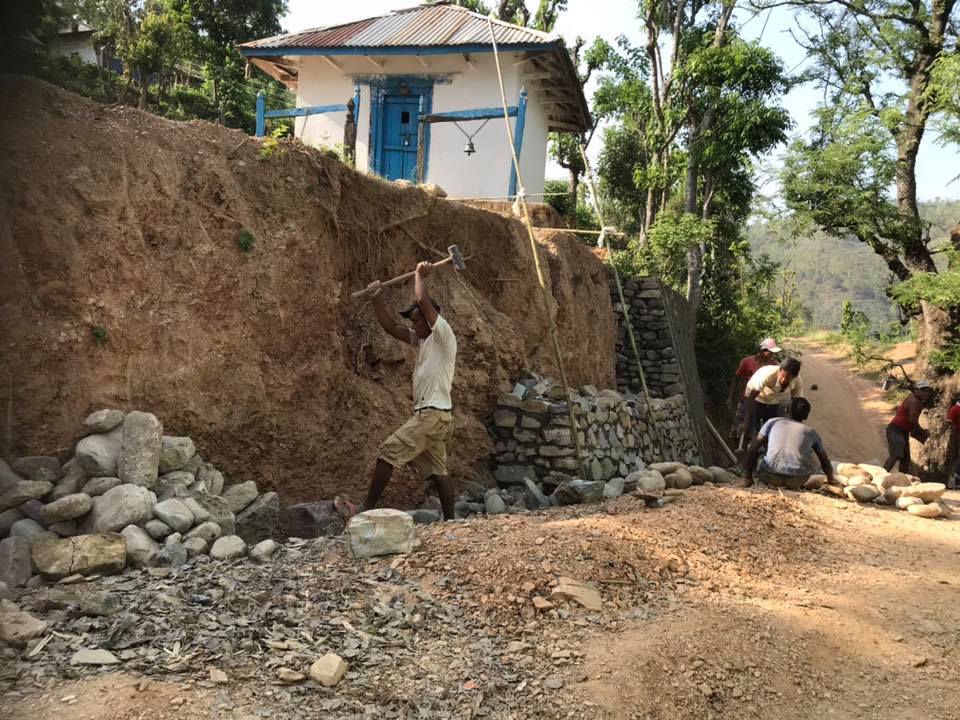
x=102, y=554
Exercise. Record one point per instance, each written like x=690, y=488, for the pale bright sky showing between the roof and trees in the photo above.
x=936, y=165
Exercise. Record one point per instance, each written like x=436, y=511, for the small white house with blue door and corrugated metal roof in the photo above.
x=424, y=79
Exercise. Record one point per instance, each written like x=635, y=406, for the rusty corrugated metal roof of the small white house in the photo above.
x=424, y=25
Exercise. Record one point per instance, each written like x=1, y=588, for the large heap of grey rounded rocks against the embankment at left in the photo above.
x=129, y=495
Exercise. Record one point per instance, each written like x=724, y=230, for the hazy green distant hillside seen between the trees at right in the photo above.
x=830, y=271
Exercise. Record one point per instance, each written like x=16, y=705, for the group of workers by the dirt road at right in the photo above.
x=771, y=413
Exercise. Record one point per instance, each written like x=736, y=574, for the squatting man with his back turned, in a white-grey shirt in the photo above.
x=790, y=449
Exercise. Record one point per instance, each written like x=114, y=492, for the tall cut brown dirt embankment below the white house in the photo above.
x=122, y=222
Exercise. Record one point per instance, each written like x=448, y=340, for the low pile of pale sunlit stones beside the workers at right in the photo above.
x=864, y=483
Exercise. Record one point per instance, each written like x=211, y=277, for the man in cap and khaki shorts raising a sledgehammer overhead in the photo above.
x=423, y=439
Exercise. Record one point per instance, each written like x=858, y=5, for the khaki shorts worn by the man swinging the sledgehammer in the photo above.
x=422, y=440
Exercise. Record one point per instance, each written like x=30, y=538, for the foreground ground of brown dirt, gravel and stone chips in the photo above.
x=728, y=603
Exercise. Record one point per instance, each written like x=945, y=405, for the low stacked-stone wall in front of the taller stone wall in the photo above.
x=616, y=433
